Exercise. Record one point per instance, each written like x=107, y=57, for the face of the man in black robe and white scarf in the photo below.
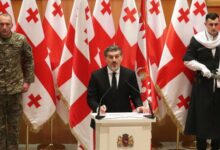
x=212, y=26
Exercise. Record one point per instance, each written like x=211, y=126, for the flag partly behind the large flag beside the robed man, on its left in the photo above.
x=156, y=33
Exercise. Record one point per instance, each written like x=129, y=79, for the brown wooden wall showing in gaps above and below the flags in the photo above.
x=61, y=133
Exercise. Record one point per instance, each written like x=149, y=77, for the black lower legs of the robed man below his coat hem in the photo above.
x=201, y=144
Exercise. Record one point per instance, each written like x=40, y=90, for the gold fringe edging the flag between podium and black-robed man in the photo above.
x=169, y=110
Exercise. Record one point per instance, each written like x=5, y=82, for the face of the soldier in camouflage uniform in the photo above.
x=5, y=26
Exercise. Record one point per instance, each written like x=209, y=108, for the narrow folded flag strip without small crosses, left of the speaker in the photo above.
x=65, y=68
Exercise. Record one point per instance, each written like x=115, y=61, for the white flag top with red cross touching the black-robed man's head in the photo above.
x=198, y=11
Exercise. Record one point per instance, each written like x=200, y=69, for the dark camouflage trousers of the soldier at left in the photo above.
x=10, y=112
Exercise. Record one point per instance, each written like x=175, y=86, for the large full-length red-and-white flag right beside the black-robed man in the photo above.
x=174, y=78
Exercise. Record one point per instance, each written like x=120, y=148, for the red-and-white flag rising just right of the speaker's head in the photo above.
x=126, y=36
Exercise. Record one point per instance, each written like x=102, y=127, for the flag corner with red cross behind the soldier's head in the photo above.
x=6, y=7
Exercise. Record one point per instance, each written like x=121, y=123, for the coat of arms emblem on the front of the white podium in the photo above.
x=125, y=140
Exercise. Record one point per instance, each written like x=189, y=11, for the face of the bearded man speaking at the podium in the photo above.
x=113, y=59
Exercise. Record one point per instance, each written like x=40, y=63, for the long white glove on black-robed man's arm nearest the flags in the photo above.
x=195, y=65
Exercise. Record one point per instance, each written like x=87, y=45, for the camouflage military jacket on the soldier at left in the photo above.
x=16, y=64
